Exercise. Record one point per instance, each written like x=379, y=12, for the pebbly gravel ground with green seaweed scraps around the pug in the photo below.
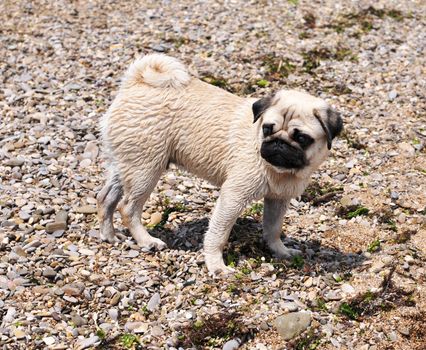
x=361, y=224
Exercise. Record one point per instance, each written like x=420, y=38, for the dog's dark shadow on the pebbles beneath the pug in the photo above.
x=245, y=242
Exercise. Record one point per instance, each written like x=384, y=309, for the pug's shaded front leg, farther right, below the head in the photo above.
x=273, y=215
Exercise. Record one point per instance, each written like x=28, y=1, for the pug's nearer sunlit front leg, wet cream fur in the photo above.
x=229, y=206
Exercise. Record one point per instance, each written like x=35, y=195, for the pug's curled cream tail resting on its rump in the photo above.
x=157, y=70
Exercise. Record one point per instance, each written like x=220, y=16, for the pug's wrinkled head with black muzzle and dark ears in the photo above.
x=295, y=130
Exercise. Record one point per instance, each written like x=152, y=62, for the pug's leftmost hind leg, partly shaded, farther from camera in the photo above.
x=108, y=199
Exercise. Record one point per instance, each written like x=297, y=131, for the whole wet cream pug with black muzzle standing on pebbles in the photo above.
x=252, y=149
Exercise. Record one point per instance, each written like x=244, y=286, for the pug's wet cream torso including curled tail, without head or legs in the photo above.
x=162, y=114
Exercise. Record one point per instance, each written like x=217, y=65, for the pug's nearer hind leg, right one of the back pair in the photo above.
x=132, y=204
